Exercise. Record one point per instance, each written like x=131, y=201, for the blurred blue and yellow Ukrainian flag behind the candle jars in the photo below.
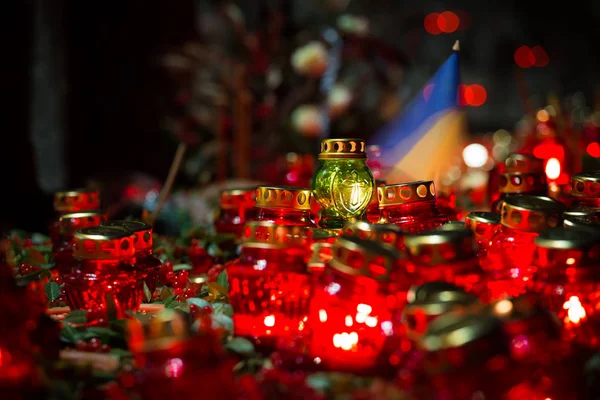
x=425, y=140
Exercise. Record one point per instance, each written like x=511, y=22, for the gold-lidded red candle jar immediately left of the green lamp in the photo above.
x=284, y=206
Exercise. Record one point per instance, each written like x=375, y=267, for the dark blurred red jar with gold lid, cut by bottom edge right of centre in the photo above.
x=466, y=357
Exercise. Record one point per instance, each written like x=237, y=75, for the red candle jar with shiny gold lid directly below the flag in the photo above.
x=444, y=255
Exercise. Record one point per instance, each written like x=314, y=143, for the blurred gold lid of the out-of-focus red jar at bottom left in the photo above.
x=163, y=331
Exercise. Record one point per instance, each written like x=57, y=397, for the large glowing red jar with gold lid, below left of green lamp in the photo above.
x=269, y=286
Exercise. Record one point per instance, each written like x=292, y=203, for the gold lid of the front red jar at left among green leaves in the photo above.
x=103, y=243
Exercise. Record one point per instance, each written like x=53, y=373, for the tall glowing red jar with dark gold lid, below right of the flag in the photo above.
x=512, y=248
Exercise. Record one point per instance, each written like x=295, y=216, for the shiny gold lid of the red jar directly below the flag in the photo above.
x=440, y=246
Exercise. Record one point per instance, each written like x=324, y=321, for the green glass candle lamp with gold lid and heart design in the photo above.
x=343, y=184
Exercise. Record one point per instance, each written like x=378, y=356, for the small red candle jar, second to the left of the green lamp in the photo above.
x=236, y=207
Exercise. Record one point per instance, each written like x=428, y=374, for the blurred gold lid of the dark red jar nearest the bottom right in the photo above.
x=454, y=330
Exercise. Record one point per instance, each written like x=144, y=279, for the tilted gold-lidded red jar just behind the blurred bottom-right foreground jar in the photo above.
x=429, y=301
